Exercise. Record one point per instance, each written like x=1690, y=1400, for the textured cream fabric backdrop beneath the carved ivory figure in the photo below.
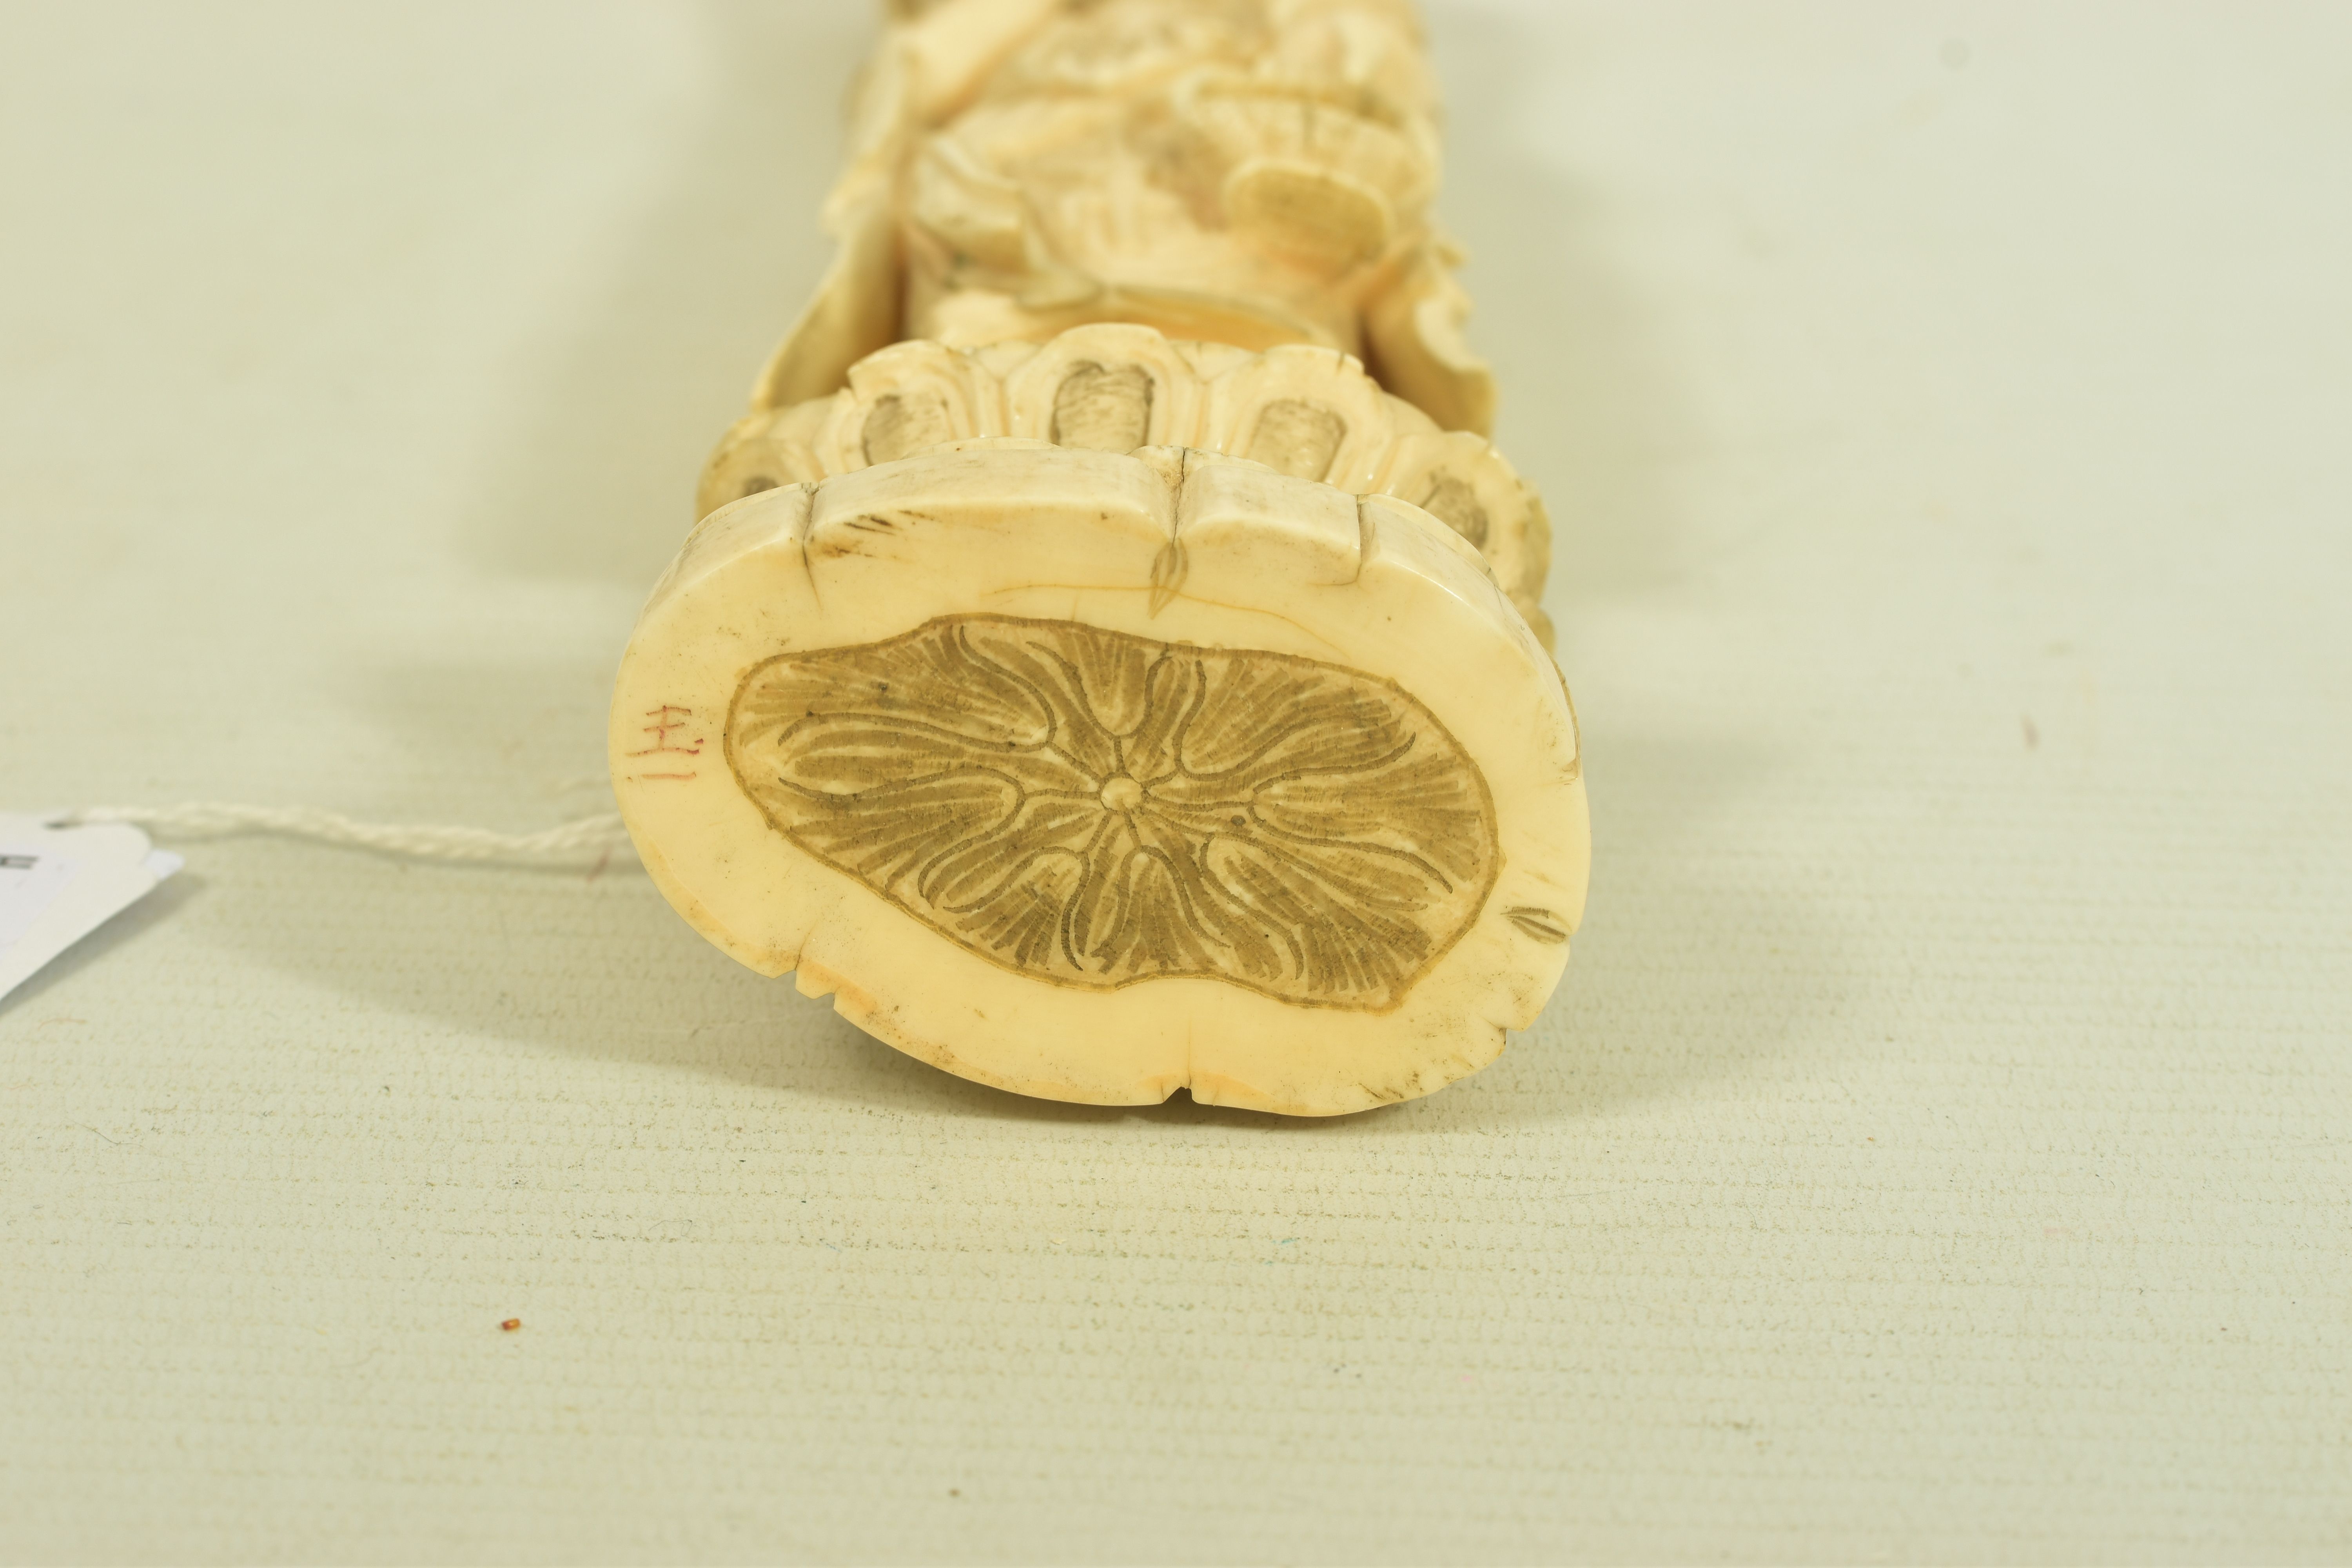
x=1939, y=1148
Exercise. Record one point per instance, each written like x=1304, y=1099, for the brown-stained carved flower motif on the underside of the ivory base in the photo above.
x=1102, y=810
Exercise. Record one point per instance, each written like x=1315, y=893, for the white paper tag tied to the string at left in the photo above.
x=58, y=885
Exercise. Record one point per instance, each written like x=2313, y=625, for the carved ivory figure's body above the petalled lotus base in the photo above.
x=1245, y=173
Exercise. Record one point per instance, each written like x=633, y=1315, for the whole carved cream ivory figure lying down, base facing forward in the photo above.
x=1111, y=655
